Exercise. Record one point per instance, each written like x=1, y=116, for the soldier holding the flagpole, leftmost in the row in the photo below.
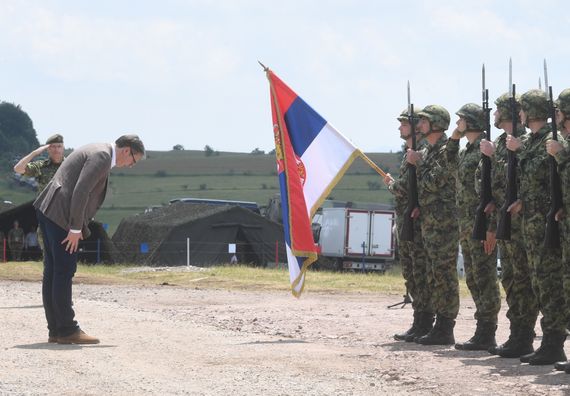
x=411, y=253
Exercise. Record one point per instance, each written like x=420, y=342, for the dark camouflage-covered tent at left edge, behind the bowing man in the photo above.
x=97, y=248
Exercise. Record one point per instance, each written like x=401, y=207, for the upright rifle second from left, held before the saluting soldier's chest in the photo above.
x=480, y=226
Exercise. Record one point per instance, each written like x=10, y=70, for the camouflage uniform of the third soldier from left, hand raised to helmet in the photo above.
x=480, y=268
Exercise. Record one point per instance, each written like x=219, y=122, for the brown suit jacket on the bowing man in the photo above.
x=78, y=188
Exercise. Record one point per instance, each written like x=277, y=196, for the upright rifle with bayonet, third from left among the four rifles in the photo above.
x=511, y=195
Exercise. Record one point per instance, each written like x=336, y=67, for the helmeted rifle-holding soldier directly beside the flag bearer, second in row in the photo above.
x=438, y=221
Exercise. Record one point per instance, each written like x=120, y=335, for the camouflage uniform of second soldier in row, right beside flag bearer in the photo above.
x=436, y=193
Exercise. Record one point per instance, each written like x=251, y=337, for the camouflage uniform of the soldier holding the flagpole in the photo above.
x=412, y=254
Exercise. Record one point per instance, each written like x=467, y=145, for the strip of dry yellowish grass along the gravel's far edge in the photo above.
x=224, y=277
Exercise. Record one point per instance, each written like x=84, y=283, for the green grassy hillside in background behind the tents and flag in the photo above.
x=165, y=175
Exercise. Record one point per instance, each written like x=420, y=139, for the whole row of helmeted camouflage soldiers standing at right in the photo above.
x=535, y=278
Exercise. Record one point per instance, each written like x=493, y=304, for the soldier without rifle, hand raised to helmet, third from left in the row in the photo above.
x=479, y=259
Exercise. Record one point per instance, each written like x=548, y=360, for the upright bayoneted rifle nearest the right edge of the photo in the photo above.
x=552, y=233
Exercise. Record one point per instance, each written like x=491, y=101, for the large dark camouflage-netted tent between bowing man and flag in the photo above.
x=159, y=238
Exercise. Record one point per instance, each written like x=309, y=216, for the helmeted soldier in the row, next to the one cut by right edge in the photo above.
x=534, y=203
